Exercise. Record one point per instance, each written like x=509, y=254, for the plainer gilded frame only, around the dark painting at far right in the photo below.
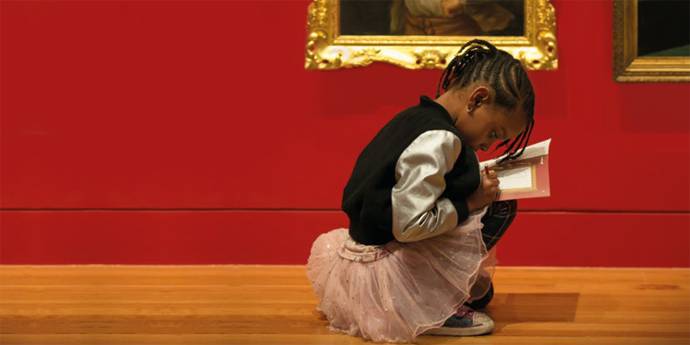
x=627, y=65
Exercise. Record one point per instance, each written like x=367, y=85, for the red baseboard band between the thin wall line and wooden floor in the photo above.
x=284, y=237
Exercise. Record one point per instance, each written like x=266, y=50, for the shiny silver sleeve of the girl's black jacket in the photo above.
x=418, y=213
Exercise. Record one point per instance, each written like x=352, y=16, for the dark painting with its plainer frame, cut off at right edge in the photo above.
x=651, y=41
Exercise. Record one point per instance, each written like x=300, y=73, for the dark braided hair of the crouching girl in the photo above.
x=479, y=60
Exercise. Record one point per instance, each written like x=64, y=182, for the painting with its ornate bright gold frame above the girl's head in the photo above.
x=426, y=33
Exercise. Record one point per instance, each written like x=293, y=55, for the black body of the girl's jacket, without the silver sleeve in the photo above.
x=367, y=194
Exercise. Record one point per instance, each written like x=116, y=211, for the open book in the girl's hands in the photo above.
x=525, y=177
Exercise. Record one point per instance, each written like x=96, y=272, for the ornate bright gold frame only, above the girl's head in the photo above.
x=327, y=49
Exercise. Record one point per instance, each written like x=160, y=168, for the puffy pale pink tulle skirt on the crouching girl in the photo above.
x=397, y=291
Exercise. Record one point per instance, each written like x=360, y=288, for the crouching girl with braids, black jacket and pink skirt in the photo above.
x=415, y=258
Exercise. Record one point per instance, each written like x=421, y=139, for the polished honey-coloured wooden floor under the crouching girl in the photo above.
x=275, y=305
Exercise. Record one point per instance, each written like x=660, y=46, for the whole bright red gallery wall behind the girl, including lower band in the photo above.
x=189, y=132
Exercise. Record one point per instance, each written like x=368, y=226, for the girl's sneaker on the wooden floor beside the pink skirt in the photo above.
x=465, y=322
